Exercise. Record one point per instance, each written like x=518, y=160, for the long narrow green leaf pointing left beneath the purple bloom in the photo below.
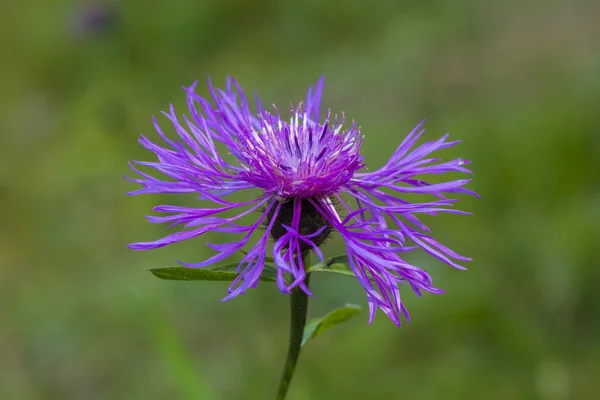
x=219, y=273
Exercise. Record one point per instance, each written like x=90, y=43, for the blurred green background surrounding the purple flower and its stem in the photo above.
x=517, y=81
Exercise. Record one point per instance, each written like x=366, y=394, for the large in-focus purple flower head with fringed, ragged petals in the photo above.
x=305, y=170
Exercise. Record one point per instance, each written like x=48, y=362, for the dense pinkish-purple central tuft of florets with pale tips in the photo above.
x=299, y=158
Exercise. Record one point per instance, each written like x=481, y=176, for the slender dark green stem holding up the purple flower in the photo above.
x=298, y=308
